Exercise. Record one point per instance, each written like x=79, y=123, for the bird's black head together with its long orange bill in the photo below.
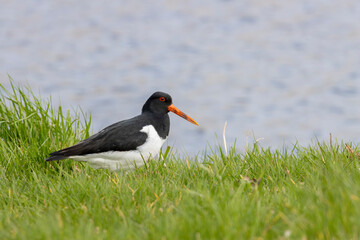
x=161, y=103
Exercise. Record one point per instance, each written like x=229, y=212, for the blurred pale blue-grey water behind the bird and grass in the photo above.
x=284, y=71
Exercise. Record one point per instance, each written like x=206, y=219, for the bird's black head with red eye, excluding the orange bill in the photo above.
x=159, y=102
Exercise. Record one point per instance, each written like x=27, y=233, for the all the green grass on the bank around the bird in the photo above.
x=301, y=193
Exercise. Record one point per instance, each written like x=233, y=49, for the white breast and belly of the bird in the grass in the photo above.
x=114, y=160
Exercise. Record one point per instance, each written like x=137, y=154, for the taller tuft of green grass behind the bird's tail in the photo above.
x=30, y=128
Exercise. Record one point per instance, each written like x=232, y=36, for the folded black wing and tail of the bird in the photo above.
x=121, y=136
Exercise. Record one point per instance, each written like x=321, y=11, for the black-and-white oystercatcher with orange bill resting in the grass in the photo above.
x=130, y=143
